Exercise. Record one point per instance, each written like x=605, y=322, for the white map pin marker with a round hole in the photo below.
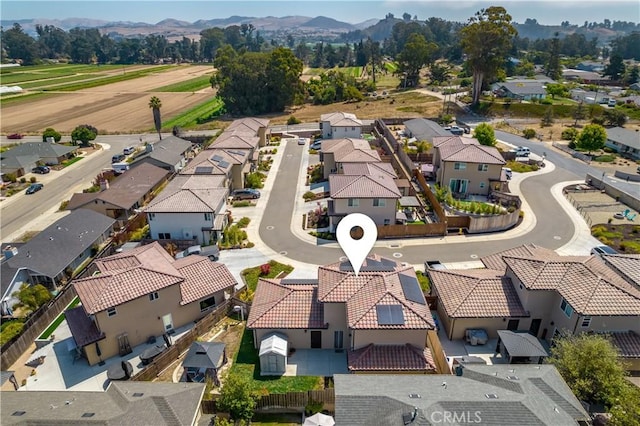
x=356, y=250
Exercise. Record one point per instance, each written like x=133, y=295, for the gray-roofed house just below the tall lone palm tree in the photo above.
x=171, y=153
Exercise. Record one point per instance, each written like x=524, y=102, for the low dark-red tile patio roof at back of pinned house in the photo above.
x=391, y=358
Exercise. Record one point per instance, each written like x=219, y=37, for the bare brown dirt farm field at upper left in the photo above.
x=114, y=108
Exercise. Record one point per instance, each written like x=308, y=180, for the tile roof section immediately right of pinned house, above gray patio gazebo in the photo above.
x=476, y=293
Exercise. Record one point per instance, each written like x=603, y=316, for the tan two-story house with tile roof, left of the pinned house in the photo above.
x=141, y=293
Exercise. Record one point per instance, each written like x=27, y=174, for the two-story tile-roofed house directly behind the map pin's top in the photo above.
x=374, y=195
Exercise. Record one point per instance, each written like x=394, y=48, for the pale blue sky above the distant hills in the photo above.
x=354, y=11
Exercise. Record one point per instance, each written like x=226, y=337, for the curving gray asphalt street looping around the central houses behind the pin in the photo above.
x=553, y=227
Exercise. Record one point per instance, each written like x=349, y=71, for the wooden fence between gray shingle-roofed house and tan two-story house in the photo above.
x=33, y=327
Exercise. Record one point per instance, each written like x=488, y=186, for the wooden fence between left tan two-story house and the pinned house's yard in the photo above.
x=165, y=359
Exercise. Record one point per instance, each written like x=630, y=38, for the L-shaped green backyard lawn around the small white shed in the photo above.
x=247, y=364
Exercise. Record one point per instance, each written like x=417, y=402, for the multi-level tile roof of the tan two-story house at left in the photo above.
x=126, y=276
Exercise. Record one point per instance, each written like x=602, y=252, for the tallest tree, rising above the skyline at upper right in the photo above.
x=486, y=40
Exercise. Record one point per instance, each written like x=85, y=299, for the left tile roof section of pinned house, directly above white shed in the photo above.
x=277, y=305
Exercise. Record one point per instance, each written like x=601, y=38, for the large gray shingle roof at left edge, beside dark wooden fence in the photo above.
x=55, y=247
